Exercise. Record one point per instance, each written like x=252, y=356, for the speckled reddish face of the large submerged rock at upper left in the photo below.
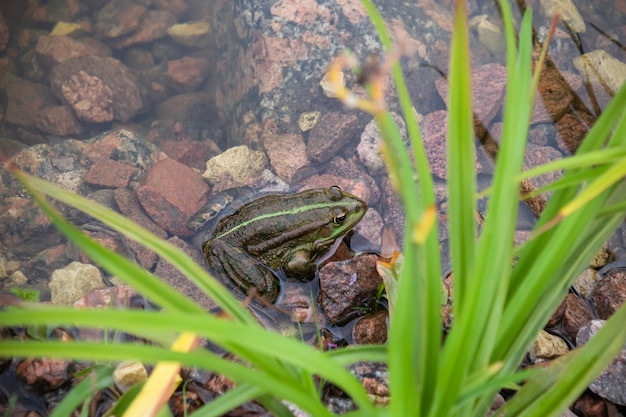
x=90, y=97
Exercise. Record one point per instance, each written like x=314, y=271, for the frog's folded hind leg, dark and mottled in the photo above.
x=242, y=269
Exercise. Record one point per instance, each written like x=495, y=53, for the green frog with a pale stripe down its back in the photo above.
x=280, y=235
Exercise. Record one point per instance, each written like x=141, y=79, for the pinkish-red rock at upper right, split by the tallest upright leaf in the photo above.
x=488, y=85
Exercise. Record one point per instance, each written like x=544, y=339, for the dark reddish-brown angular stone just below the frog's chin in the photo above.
x=345, y=285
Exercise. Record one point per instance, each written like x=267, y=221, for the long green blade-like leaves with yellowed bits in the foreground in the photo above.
x=498, y=309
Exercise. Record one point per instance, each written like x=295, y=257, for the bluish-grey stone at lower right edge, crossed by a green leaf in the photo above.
x=611, y=382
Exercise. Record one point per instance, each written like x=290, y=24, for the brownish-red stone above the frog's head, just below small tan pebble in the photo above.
x=330, y=134
